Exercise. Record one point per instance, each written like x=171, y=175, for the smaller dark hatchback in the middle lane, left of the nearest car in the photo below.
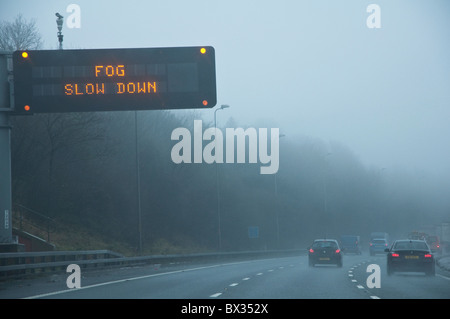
x=325, y=251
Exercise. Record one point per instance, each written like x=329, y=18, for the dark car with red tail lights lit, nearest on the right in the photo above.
x=408, y=255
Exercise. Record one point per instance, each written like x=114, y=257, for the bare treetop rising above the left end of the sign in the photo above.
x=19, y=35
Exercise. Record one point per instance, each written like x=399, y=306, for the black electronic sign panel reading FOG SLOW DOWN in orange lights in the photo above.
x=52, y=81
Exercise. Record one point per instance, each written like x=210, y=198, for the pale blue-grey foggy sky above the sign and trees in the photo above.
x=307, y=67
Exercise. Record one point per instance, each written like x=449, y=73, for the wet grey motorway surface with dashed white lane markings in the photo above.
x=278, y=278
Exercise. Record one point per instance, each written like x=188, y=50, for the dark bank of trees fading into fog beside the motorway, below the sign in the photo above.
x=80, y=168
